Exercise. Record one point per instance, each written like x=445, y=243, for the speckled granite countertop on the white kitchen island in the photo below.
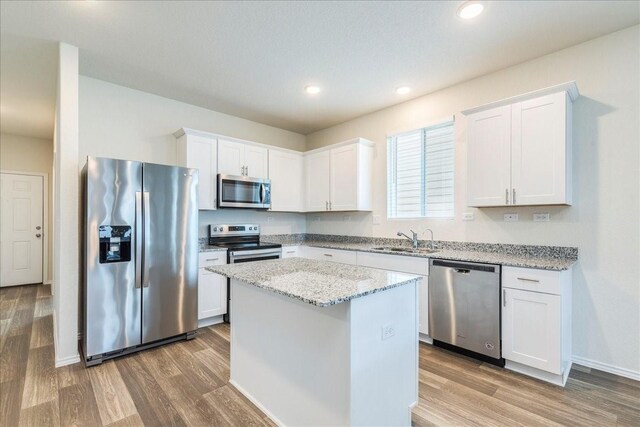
x=321, y=283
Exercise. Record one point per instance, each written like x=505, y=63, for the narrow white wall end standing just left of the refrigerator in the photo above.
x=66, y=210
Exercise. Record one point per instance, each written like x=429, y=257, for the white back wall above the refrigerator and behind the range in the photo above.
x=129, y=124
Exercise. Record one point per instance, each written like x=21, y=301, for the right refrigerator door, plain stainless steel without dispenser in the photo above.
x=170, y=268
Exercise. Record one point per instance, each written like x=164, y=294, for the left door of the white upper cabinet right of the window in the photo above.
x=489, y=158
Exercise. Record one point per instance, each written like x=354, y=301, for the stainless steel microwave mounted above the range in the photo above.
x=243, y=192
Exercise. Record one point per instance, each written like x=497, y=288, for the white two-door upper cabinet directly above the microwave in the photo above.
x=237, y=158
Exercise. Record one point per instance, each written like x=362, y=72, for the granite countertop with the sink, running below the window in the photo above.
x=540, y=257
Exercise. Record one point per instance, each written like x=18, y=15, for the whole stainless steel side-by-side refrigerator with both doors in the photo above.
x=140, y=256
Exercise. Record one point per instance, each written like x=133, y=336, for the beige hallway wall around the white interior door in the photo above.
x=26, y=154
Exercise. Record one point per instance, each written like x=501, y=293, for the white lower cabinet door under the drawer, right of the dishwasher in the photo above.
x=531, y=329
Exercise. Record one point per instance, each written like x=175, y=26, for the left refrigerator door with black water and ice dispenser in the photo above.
x=111, y=299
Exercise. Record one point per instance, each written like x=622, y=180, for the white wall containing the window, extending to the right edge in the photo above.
x=603, y=222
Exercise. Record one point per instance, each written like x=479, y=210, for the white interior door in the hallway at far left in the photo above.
x=21, y=229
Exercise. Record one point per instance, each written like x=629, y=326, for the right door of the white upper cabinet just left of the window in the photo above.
x=344, y=178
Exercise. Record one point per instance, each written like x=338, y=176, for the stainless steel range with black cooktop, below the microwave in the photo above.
x=243, y=245
